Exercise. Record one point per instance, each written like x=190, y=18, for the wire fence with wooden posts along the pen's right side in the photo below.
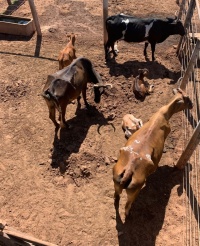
x=189, y=54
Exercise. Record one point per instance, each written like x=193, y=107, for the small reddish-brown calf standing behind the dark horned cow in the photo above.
x=67, y=55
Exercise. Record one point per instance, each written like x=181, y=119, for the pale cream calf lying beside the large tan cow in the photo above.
x=130, y=124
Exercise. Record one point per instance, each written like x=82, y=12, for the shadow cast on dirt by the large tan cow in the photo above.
x=147, y=214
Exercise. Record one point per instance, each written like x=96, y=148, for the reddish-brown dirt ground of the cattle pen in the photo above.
x=58, y=186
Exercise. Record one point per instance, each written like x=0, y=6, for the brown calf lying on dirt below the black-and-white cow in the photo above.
x=140, y=87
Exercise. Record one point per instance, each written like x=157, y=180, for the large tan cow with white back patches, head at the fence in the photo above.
x=143, y=150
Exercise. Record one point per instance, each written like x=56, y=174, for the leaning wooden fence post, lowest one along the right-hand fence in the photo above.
x=191, y=146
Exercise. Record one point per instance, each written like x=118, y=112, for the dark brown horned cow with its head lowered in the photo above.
x=67, y=84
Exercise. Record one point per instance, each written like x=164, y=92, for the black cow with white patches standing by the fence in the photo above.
x=132, y=29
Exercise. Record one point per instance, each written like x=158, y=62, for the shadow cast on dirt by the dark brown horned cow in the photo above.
x=69, y=140
